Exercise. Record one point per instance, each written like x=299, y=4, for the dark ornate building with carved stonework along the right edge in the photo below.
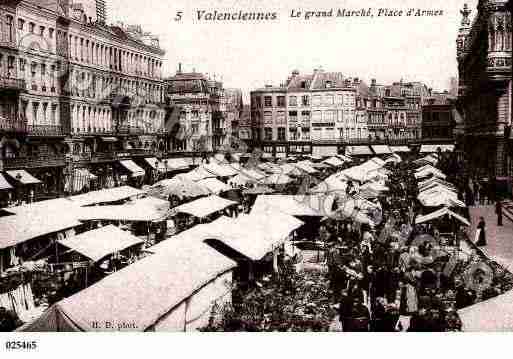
x=484, y=70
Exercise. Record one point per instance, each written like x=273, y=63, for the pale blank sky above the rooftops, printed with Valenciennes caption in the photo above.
x=248, y=55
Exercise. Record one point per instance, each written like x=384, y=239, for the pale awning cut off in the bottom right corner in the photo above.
x=492, y=315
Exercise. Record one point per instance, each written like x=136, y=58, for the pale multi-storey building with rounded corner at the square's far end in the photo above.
x=312, y=113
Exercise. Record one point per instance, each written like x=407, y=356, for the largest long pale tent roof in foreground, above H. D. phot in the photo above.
x=144, y=293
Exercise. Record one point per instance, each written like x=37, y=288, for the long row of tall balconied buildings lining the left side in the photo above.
x=76, y=88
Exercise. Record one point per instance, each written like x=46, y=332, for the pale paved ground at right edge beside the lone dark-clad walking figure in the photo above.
x=500, y=239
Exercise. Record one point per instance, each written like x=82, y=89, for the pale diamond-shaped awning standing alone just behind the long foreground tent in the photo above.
x=99, y=243
